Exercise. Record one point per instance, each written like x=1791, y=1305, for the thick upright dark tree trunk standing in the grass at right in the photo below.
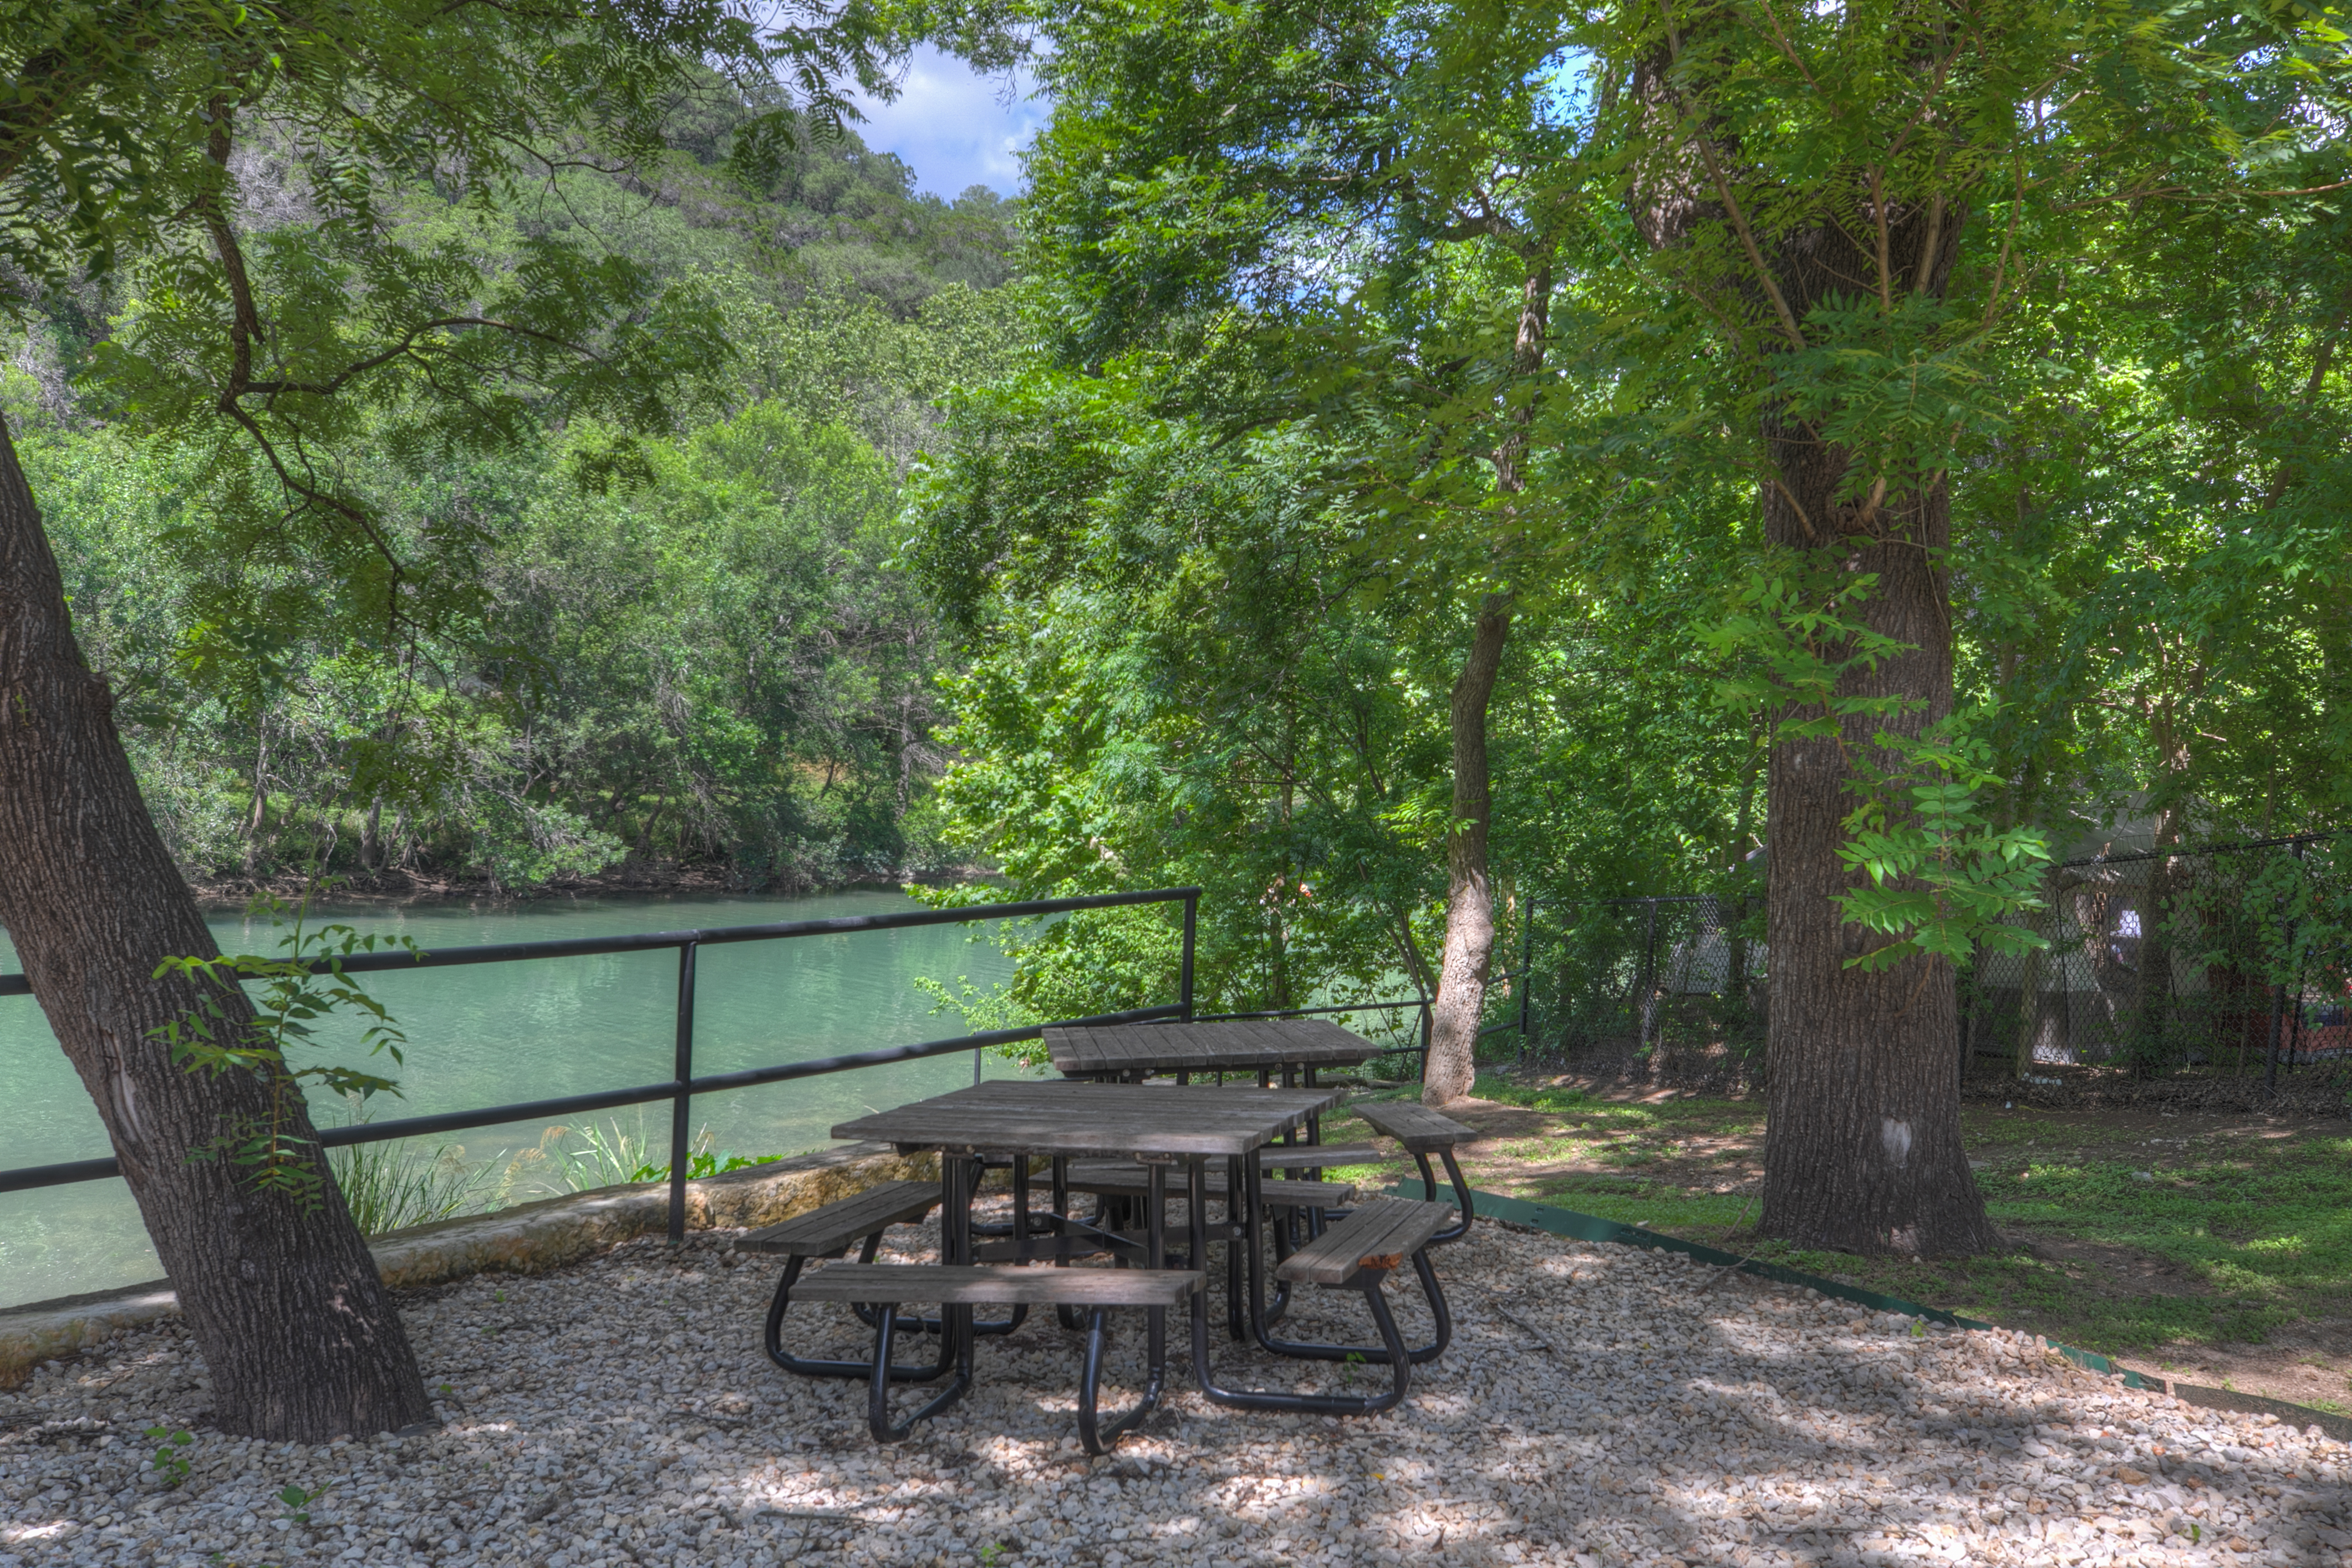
x=1864, y=1139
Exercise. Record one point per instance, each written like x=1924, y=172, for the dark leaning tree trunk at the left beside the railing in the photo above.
x=283, y=1299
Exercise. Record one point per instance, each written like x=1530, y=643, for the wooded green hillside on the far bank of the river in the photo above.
x=681, y=648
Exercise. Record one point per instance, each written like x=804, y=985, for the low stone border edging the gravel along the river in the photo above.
x=521, y=1240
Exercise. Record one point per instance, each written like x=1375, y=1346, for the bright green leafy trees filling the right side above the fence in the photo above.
x=1281, y=257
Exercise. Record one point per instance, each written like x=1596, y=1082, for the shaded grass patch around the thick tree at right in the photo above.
x=2141, y=1233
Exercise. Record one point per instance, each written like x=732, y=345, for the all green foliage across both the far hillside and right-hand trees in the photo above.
x=1168, y=556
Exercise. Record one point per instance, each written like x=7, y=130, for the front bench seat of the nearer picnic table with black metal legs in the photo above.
x=888, y=1285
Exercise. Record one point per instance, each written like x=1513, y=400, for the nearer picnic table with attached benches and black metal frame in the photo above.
x=1172, y=1132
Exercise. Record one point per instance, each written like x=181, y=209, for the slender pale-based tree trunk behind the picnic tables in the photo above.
x=1462, y=974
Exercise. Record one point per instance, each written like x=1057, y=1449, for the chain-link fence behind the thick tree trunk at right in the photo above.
x=2217, y=963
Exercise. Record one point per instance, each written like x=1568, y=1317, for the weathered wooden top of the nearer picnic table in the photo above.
x=1064, y=1118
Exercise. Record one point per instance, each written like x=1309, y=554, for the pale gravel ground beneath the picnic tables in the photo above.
x=1601, y=1407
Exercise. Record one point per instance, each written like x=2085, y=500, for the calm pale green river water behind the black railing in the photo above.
x=497, y=1033
